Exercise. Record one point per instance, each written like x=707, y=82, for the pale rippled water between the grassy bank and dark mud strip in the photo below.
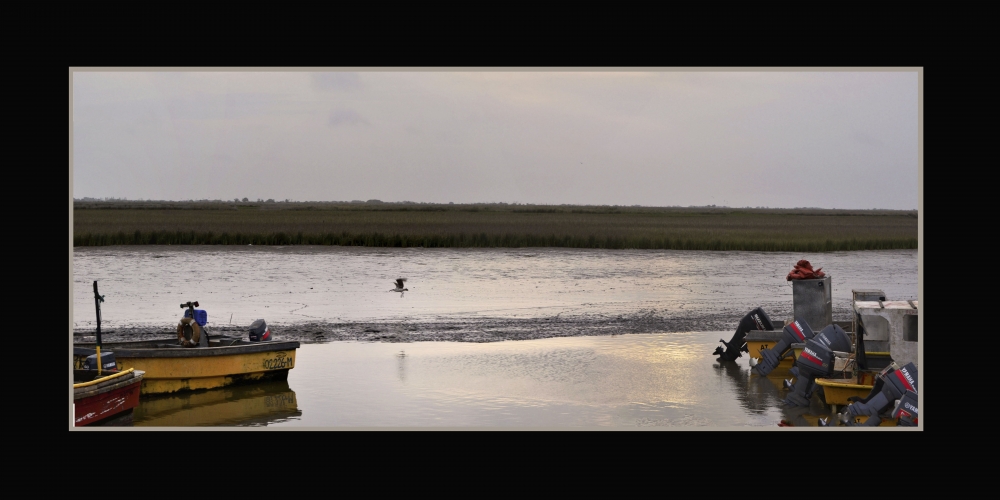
x=144, y=285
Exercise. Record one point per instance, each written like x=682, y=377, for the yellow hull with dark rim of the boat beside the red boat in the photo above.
x=170, y=369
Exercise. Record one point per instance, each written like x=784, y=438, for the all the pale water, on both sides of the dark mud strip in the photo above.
x=628, y=381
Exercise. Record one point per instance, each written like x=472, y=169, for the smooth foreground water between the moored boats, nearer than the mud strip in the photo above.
x=629, y=381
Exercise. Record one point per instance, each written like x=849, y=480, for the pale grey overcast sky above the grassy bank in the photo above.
x=655, y=138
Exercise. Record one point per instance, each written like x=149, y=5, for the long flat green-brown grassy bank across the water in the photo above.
x=496, y=225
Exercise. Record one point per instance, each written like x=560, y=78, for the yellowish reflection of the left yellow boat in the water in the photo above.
x=241, y=405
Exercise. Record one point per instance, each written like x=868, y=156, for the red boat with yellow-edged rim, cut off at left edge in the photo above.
x=106, y=399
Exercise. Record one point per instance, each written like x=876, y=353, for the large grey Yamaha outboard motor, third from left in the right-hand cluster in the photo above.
x=817, y=360
